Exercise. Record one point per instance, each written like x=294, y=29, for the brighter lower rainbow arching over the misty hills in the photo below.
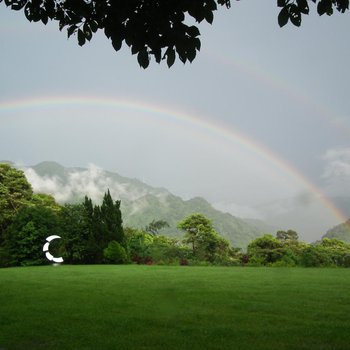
x=202, y=124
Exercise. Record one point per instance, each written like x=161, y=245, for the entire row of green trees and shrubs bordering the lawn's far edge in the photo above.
x=94, y=234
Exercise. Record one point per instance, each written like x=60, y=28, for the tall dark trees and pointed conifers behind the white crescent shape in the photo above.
x=27, y=219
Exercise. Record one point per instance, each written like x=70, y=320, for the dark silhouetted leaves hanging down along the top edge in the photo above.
x=150, y=27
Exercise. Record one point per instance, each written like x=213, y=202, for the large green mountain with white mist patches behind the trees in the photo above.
x=141, y=203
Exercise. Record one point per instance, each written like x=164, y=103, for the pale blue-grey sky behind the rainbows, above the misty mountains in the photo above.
x=258, y=124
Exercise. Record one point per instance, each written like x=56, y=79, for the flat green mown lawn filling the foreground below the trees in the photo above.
x=156, y=307
